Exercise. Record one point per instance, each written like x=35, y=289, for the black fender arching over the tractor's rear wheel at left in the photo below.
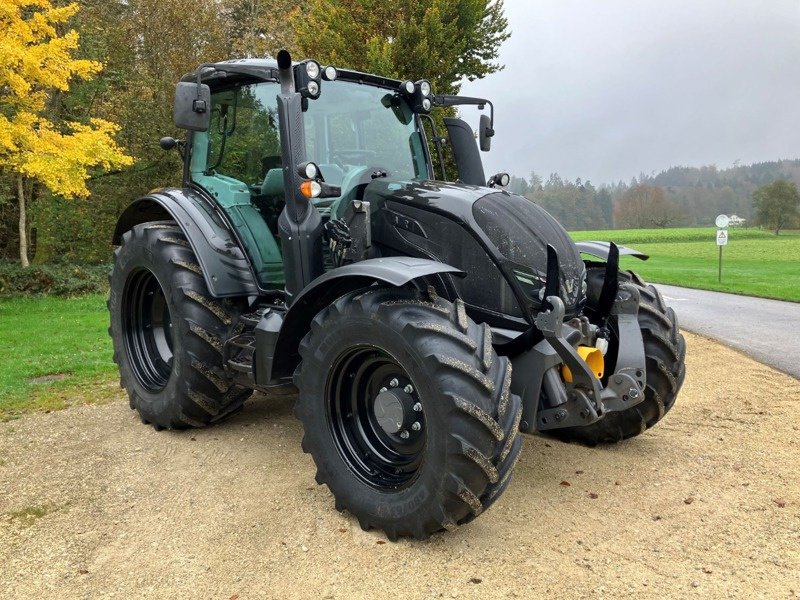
x=225, y=266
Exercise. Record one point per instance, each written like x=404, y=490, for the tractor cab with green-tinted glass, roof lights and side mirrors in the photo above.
x=356, y=128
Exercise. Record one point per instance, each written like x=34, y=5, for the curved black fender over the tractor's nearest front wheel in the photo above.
x=397, y=271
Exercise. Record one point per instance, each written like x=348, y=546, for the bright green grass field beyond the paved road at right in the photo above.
x=754, y=263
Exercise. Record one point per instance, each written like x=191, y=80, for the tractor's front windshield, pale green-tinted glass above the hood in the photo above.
x=354, y=127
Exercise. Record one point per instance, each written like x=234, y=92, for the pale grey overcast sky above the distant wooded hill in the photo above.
x=604, y=90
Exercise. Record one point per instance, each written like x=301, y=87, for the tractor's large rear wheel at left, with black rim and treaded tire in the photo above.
x=168, y=332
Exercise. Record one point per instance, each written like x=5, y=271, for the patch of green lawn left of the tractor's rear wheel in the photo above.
x=54, y=352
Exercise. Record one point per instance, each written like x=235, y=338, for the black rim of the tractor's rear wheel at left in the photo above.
x=147, y=327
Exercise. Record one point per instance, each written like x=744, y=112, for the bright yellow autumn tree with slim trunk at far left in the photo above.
x=36, y=62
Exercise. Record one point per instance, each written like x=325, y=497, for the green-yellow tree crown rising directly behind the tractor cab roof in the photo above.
x=440, y=40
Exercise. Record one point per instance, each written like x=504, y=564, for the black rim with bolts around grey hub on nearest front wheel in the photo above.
x=387, y=461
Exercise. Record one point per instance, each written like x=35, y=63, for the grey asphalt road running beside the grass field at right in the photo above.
x=765, y=329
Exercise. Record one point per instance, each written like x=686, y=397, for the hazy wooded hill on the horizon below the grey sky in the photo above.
x=693, y=195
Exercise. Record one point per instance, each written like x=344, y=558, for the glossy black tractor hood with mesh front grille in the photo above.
x=454, y=222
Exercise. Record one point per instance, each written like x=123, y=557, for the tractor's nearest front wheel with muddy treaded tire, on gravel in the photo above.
x=450, y=450
